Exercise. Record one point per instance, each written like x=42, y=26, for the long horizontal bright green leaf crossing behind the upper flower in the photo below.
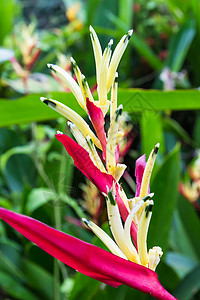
x=30, y=108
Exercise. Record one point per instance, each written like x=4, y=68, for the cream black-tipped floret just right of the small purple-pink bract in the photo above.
x=148, y=170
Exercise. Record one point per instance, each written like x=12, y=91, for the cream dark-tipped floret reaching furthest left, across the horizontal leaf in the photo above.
x=73, y=117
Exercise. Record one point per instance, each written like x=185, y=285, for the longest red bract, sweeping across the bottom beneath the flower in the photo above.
x=86, y=258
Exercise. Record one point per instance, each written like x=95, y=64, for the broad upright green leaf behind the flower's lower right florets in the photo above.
x=165, y=187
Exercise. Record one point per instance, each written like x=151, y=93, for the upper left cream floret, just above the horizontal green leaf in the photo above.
x=70, y=82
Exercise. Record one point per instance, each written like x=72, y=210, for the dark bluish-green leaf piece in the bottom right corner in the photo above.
x=189, y=286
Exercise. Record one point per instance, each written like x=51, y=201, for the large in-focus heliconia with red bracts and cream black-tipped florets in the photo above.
x=130, y=262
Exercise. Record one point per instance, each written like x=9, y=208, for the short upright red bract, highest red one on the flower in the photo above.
x=97, y=118
